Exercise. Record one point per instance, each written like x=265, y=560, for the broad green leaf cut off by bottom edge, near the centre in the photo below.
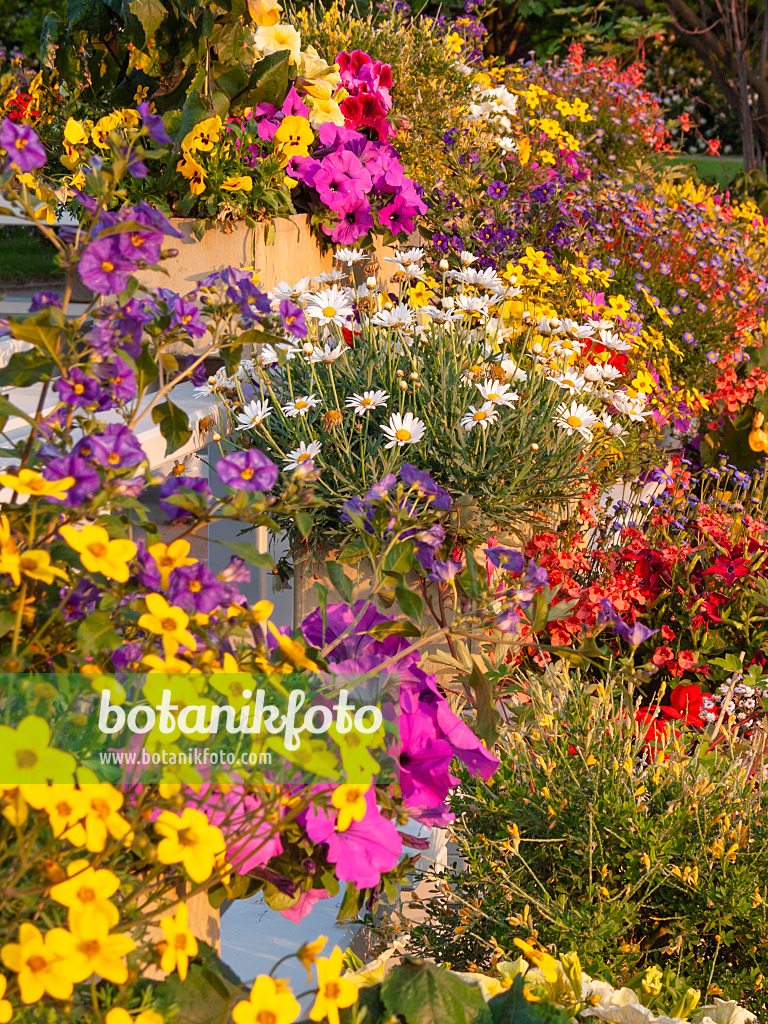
x=424, y=994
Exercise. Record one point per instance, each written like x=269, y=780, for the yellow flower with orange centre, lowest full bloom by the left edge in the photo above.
x=38, y=962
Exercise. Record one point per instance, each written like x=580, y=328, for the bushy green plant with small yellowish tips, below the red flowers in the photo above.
x=594, y=835
